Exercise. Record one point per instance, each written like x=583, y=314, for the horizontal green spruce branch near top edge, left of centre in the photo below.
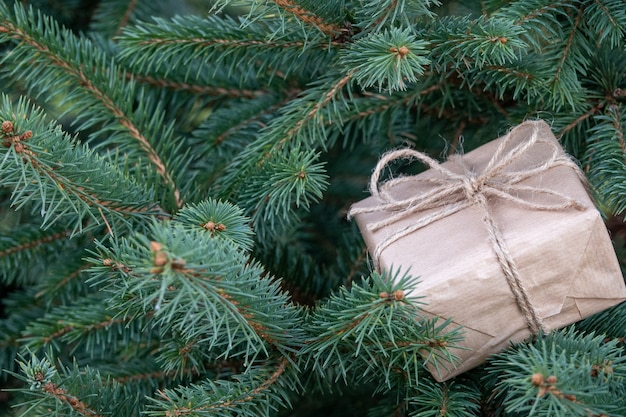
x=218, y=44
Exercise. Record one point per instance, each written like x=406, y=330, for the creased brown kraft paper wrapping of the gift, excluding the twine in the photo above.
x=565, y=258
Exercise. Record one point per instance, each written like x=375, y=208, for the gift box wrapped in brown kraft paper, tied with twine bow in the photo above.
x=505, y=240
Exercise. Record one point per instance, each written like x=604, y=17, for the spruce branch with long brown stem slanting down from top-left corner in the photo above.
x=67, y=57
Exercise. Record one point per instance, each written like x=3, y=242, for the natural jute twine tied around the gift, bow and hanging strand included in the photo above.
x=453, y=192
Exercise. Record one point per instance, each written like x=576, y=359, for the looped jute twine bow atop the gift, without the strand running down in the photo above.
x=467, y=187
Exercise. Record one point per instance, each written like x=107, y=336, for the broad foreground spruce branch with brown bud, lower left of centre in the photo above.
x=194, y=283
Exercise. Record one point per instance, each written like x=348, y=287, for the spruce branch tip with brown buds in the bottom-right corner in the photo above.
x=557, y=374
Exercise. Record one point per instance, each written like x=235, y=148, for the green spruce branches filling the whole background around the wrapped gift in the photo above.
x=174, y=179
